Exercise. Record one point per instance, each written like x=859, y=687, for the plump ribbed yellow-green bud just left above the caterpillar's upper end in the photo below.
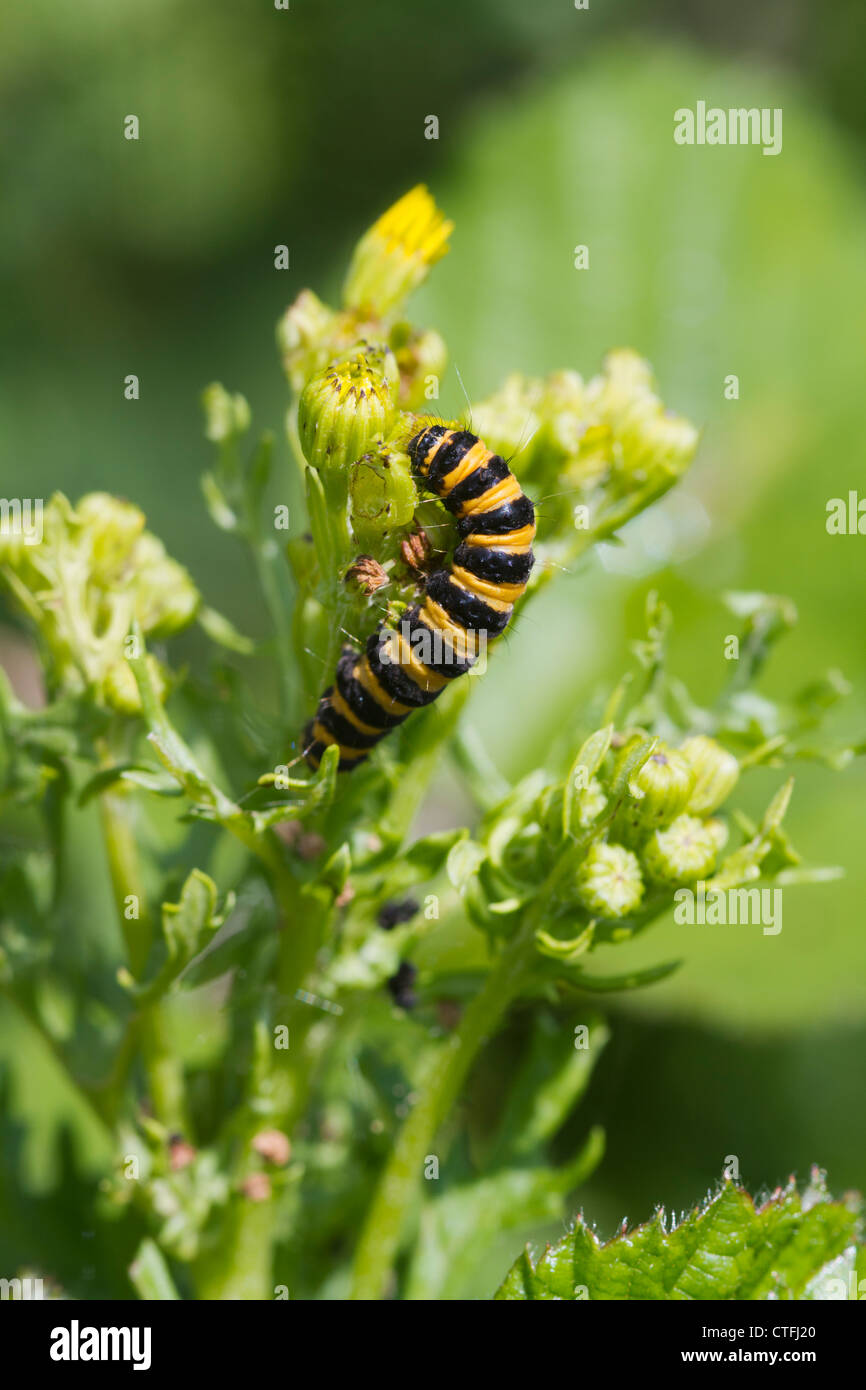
x=345, y=408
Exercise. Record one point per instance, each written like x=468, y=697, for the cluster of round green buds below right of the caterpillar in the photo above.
x=664, y=833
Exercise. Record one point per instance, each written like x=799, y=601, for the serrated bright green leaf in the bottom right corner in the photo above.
x=729, y=1249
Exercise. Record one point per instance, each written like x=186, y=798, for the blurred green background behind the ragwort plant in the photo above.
x=262, y=127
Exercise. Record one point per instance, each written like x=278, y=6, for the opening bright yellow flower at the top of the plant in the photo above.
x=395, y=255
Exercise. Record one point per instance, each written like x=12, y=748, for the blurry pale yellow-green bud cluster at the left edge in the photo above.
x=95, y=575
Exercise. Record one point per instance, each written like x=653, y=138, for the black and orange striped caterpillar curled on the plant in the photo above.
x=465, y=607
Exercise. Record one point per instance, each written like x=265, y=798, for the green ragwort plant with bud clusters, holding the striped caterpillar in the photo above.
x=341, y=963
